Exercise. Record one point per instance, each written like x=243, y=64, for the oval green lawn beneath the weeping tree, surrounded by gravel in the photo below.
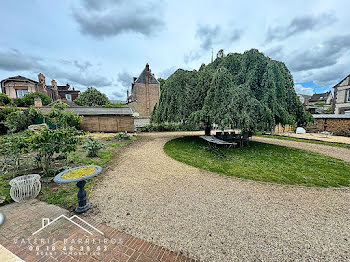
x=263, y=162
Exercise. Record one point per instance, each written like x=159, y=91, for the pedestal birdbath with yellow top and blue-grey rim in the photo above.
x=79, y=175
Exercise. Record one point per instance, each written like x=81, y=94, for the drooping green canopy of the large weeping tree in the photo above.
x=249, y=90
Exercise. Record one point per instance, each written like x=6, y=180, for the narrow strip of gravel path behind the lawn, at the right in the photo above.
x=333, y=151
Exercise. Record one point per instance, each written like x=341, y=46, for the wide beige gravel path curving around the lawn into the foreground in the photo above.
x=219, y=218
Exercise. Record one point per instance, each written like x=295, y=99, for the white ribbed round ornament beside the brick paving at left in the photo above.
x=25, y=187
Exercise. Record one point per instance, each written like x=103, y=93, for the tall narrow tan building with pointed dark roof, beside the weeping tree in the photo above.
x=145, y=92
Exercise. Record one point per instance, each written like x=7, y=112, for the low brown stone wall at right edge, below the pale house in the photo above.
x=337, y=126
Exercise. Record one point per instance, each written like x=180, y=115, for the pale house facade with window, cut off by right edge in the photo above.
x=341, y=102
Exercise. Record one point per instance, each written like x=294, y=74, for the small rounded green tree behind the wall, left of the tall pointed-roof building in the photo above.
x=92, y=97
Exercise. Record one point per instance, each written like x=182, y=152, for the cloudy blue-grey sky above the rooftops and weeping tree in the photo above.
x=104, y=43
